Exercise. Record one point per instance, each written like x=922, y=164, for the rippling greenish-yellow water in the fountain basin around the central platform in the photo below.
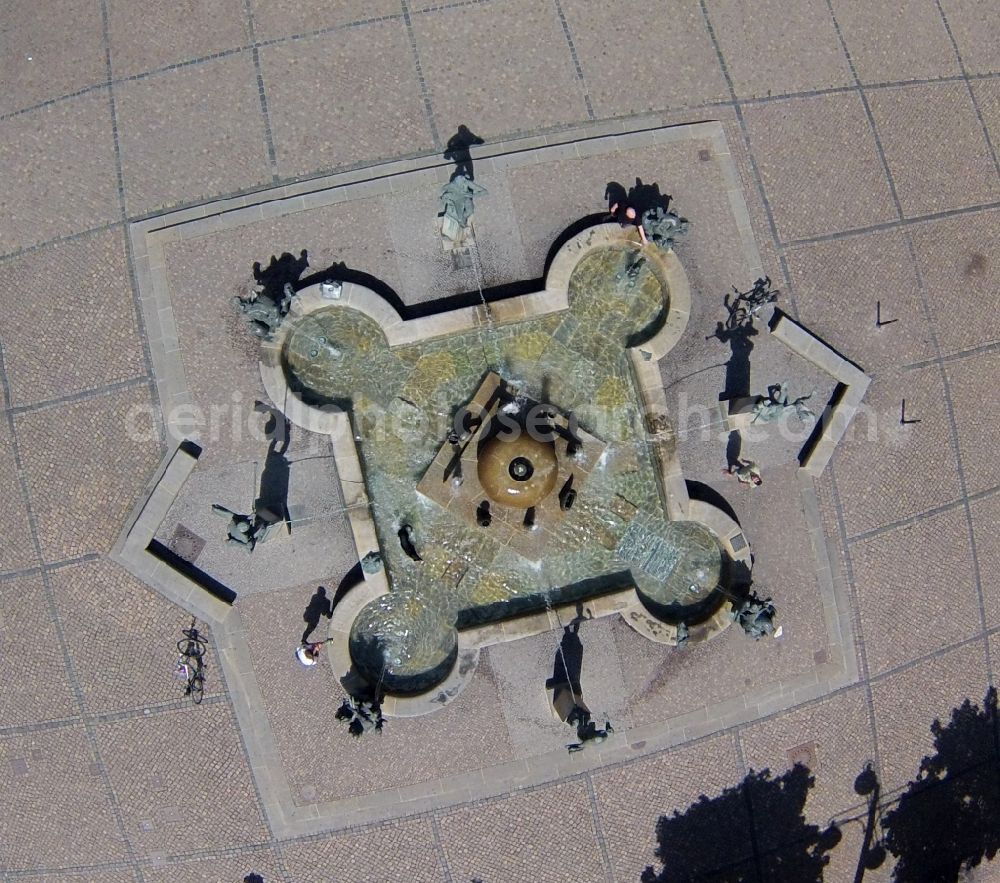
x=402, y=402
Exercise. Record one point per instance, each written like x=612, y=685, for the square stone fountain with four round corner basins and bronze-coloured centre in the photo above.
x=523, y=445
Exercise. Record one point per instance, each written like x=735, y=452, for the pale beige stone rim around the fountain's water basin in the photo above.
x=335, y=423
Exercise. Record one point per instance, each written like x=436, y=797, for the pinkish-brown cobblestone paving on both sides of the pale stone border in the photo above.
x=866, y=144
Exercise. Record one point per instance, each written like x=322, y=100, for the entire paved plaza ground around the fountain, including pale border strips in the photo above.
x=152, y=154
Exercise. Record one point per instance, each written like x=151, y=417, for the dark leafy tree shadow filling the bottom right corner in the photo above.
x=945, y=823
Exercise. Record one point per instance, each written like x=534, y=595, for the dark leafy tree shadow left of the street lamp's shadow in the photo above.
x=775, y=842
